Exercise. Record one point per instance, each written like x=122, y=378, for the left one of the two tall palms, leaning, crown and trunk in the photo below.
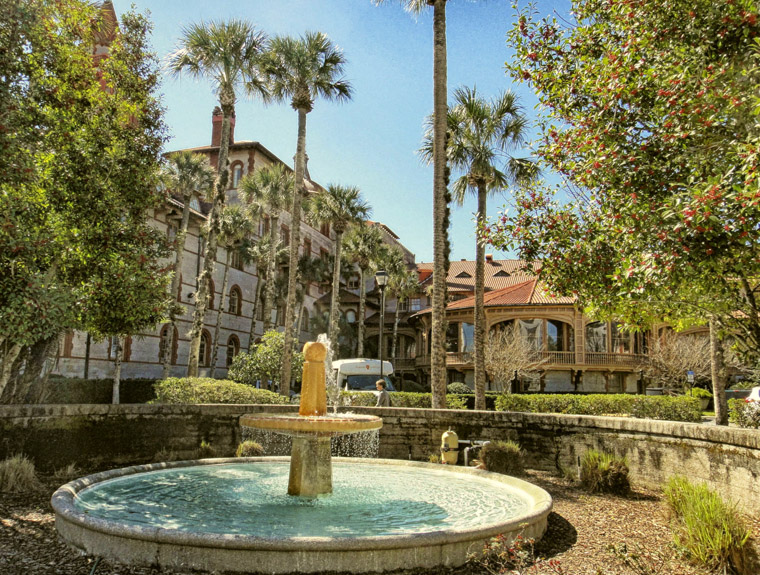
x=227, y=54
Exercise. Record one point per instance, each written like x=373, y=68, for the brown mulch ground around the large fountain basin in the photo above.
x=582, y=530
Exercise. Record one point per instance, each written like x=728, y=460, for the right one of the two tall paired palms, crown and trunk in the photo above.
x=301, y=70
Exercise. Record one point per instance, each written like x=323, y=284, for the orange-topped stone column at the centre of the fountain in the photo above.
x=310, y=460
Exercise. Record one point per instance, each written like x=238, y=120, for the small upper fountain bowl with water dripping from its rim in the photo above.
x=294, y=423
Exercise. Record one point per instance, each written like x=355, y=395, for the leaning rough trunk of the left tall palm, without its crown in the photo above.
x=220, y=189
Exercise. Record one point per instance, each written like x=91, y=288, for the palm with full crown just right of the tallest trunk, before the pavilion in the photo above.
x=481, y=134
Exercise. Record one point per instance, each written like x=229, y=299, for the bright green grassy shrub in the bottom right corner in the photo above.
x=709, y=530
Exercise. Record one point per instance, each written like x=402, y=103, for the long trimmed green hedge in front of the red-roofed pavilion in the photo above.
x=680, y=408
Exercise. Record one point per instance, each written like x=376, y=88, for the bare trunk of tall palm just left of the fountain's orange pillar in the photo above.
x=295, y=239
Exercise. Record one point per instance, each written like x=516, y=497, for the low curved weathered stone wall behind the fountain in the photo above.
x=726, y=458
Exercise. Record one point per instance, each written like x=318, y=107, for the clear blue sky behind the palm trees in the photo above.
x=370, y=141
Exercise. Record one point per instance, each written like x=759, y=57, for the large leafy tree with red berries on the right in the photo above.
x=648, y=116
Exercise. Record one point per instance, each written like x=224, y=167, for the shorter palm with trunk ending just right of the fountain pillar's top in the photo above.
x=339, y=206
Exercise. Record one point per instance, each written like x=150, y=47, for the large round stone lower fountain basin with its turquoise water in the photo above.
x=232, y=515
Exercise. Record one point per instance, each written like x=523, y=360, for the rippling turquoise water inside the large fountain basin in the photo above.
x=251, y=499
